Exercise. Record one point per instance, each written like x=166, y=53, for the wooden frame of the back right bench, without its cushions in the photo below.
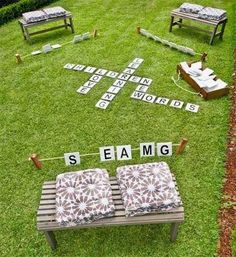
x=194, y=17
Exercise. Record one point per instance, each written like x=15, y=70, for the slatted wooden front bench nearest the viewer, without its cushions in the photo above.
x=46, y=214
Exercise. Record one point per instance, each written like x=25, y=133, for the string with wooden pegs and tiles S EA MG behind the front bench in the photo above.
x=120, y=153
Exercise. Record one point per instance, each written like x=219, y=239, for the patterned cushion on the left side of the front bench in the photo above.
x=83, y=196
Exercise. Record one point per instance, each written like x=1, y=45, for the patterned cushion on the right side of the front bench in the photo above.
x=147, y=188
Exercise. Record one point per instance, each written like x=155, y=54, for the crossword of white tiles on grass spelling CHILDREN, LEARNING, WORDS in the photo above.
x=120, y=81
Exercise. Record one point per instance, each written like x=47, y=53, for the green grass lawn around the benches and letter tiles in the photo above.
x=41, y=112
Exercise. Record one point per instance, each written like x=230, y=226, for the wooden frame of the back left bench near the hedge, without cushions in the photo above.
x=25, y=26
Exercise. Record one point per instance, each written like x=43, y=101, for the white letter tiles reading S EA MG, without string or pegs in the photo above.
x=124, y=152
